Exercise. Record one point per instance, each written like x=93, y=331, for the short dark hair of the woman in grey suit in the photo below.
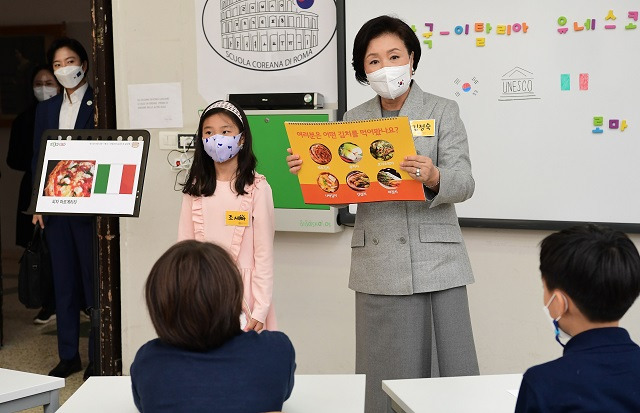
x=375, y=28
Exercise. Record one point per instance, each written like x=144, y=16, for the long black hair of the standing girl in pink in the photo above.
x=201, y=180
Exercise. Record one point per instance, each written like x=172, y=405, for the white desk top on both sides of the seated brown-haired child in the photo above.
x=311, y=394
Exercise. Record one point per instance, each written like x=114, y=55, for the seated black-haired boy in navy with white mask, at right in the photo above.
x=590, y=277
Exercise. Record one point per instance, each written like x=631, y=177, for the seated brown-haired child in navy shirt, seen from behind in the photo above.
x=202, y=360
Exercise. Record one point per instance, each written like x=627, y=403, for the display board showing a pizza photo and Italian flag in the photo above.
x=100, y=175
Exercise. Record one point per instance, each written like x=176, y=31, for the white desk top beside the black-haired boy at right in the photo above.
x=478, y=394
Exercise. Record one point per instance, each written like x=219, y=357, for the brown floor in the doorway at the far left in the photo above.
x=30, y=347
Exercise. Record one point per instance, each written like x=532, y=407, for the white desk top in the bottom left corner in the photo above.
x=19, y=384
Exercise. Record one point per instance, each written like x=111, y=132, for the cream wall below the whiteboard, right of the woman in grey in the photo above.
x=510, y=329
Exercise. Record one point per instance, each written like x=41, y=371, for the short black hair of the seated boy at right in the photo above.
x=599, y=268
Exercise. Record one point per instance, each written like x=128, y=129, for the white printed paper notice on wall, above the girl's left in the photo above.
x=155, y=105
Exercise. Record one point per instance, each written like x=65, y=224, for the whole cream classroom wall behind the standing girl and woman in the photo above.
x=155, y=42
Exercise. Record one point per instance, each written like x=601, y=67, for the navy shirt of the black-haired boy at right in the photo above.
x=598, y=372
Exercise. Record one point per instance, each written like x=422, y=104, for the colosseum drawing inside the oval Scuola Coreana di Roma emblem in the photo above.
x=267, y=26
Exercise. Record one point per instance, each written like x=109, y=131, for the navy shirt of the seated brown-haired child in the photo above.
x=250, y=373
